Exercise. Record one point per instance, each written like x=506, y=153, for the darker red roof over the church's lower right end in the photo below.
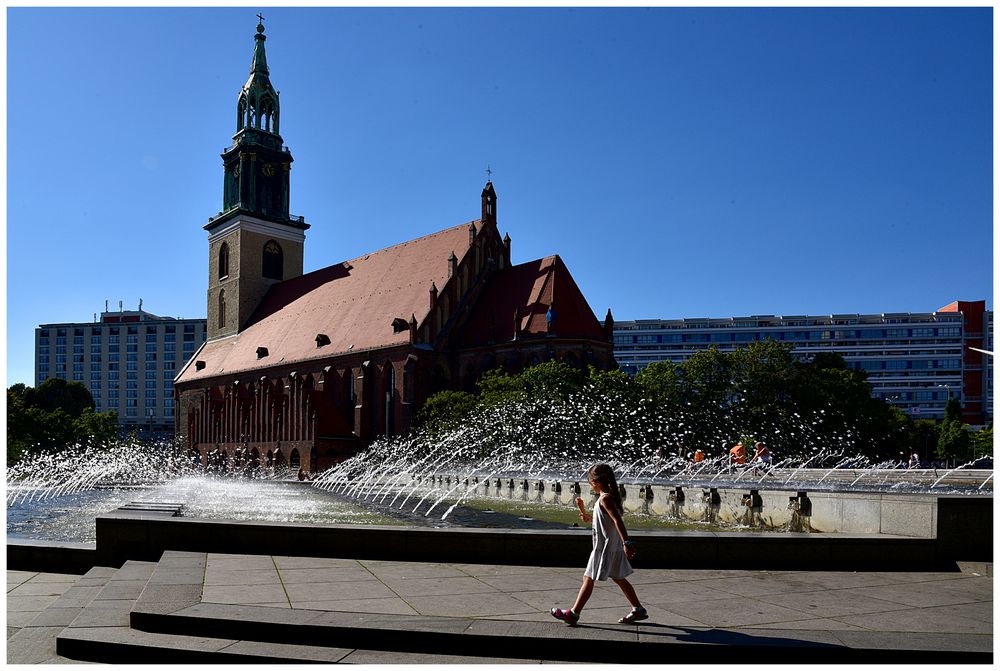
x=531, y=288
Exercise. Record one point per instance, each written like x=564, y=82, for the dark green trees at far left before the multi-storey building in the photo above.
x=54, y=417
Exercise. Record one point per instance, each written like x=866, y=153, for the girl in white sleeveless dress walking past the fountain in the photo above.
x=612, y=548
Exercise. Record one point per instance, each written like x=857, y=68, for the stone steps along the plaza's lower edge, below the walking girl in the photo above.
x=169, y=623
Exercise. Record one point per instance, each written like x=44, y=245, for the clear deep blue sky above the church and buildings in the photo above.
x=683, y=162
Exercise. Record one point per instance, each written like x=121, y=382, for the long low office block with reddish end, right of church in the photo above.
x=915, y=361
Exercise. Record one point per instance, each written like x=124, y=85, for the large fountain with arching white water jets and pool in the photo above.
x=517, y=465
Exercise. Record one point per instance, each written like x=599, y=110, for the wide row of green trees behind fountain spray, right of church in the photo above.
x=759, y=392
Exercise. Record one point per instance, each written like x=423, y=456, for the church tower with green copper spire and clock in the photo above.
x=253, y=243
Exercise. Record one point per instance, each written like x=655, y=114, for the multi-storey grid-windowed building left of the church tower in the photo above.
x=128, y=361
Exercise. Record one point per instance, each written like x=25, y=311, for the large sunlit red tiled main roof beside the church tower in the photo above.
x=353, y=303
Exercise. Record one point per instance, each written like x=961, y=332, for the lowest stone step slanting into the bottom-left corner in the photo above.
x=35, y=642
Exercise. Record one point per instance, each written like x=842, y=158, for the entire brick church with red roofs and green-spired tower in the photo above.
x=305, y=368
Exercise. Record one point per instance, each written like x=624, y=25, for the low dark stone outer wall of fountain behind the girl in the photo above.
x=963, y=533
